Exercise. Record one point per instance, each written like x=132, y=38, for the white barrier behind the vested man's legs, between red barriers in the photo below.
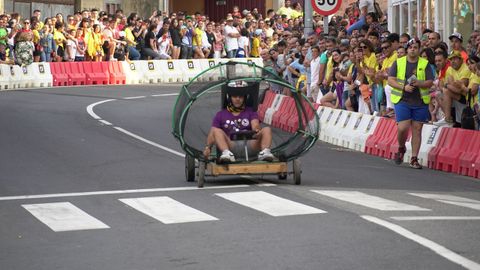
x=430, y=136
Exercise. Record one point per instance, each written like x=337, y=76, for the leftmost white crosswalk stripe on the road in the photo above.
x=64, y=216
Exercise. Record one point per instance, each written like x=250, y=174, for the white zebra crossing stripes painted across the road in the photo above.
x=64, y=216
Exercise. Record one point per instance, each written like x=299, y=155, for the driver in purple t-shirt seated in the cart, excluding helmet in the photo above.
x=234, y=119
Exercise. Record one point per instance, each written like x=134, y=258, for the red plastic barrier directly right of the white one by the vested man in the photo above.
x=457, y=141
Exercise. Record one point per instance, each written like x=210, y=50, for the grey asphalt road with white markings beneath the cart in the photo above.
x=104, y=188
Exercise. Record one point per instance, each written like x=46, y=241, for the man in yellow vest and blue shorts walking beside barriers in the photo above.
x=410, y=78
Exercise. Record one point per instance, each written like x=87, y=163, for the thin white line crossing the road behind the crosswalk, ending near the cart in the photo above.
x=110, y=192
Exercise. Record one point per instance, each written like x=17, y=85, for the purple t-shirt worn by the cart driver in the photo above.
x=232, y=124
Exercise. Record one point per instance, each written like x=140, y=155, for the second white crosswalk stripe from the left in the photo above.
x=167, y=210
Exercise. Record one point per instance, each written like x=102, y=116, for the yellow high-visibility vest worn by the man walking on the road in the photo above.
x=421, y=75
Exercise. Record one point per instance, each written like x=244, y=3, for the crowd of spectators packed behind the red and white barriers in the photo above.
x=347, y=67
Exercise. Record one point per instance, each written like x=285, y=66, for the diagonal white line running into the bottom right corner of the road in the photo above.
x=440, y=250
